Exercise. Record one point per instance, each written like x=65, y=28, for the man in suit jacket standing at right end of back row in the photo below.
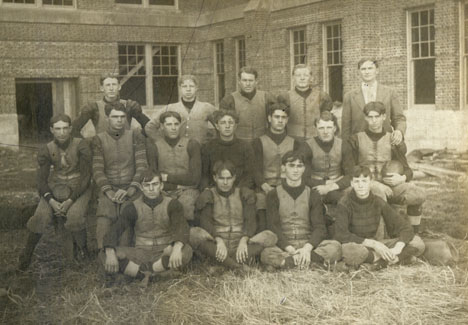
x=353, y=121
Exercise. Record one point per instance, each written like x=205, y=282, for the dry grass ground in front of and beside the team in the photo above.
x=419, y=294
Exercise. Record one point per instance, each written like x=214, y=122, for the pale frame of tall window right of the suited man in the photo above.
x=410, y=60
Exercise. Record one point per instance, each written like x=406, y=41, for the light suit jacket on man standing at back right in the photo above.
x=352, y=120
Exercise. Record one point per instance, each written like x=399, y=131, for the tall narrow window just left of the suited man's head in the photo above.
x=333, y=72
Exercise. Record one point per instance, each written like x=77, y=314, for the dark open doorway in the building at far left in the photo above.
x=34, y=109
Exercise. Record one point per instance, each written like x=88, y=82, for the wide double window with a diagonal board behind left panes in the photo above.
x=149, y=73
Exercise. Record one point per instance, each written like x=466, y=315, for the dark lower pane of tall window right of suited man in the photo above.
x=424, y=81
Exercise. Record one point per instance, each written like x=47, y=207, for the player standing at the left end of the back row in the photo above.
x=95, y=111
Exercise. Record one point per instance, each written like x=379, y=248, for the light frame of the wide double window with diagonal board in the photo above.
x=148, y=63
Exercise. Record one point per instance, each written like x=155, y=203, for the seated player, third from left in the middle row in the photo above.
x=178, y=160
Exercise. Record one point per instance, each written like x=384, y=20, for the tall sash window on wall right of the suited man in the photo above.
x=422, y=57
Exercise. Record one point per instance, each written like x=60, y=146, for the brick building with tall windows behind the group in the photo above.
x=52, y=53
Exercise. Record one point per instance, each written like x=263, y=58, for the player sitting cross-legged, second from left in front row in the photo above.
x=227, y=221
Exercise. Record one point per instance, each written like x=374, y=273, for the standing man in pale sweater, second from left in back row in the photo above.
x=195, y=114
